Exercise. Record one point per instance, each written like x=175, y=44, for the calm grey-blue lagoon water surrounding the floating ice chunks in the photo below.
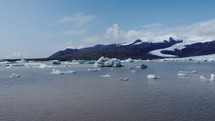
x=85, y=96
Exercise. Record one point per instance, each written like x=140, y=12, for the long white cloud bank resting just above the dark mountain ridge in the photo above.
x=198, y=32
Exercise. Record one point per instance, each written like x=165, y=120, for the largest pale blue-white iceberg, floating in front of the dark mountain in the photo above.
x=107, y=62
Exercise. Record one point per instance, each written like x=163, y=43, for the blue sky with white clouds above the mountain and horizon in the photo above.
x=38, y=28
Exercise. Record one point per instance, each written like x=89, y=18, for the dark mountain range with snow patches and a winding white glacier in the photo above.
x=140, y=50
